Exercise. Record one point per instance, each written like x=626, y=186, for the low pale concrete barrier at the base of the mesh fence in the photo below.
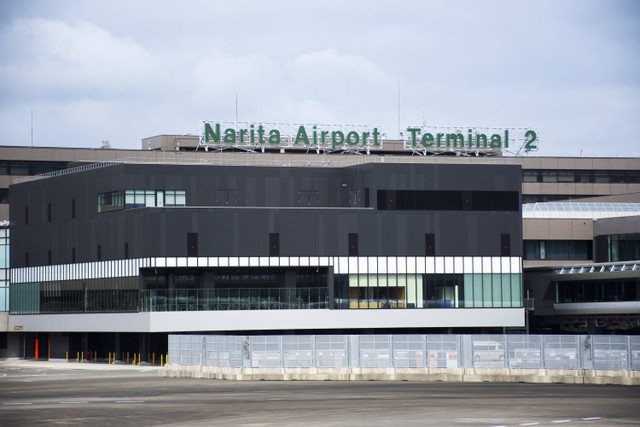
x=473, y=375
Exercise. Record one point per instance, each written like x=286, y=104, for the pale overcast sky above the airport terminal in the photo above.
x=124, y=70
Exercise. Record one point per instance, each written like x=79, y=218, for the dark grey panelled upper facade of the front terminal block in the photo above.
x=234, y=209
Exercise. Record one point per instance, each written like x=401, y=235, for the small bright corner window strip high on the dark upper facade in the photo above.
x=130, y=199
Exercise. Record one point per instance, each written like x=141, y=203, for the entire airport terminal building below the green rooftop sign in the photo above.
x=112, y=250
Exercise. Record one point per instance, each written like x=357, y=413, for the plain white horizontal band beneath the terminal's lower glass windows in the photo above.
x=264, y=320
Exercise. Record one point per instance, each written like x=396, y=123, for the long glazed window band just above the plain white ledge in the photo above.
x=350, y=292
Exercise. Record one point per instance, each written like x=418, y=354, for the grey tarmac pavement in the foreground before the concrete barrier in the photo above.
x=50, y=393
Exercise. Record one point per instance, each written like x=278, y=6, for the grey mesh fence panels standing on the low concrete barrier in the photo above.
x=600, y=352
